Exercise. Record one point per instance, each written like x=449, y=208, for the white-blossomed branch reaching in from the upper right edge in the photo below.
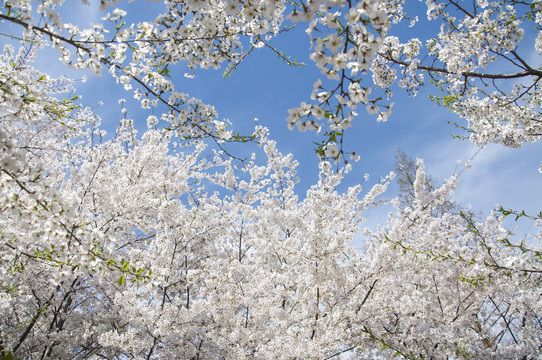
x=471, y=39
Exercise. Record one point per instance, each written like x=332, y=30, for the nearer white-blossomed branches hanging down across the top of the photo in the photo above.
x=350, y=44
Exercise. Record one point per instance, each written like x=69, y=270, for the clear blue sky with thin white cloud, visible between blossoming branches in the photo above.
x=263, y=87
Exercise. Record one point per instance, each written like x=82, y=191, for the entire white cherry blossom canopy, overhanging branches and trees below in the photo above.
x=157, y=244
